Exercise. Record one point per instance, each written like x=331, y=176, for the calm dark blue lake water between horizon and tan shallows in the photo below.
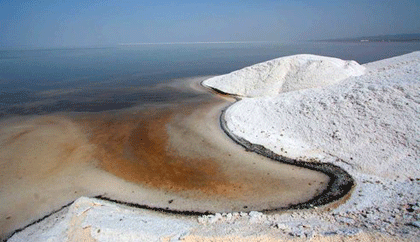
x=97, y=79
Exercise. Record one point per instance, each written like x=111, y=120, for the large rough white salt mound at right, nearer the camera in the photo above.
x=370, y=122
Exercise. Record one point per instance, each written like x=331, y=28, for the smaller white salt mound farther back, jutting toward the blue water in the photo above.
x=285, y=74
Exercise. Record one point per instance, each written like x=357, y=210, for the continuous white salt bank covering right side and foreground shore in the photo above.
x=367, y=124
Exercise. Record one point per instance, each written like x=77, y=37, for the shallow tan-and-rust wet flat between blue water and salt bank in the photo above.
x=170, y=155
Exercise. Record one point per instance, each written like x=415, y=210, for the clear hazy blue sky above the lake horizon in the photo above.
x=63, y=23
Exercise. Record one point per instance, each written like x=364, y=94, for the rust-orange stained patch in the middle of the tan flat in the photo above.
x=134, y=147
